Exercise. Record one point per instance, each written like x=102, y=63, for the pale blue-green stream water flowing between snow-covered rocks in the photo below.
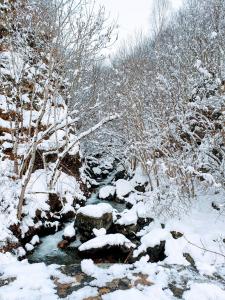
x=49, y=253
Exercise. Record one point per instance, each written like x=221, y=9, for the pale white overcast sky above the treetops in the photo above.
x=131, y=15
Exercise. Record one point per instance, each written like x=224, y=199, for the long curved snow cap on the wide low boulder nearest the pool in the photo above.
x=116, y=239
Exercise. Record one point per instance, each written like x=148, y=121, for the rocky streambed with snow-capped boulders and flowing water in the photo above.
x=103, y=252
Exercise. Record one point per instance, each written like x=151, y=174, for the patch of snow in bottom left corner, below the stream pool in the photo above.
x=32, y=281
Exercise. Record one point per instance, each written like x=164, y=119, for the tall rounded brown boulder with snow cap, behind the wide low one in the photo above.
x=93, y=216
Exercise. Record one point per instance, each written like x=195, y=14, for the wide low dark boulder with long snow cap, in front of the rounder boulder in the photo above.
x=101, y=246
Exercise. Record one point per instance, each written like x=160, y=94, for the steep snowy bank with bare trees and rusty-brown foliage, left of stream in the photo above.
x=39, y=141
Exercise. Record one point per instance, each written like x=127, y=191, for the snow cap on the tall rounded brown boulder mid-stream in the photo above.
x=96, y=211
